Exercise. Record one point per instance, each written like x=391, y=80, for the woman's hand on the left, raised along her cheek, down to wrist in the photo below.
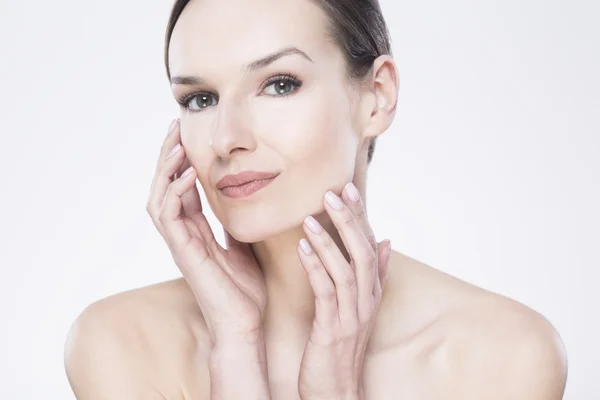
x=227, y=283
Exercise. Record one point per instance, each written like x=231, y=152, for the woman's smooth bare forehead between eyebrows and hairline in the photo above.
x=216, y=34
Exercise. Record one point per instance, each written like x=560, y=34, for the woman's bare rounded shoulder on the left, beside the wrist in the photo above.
x=137, y=344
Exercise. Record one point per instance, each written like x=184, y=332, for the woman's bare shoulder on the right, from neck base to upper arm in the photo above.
x=481, y=344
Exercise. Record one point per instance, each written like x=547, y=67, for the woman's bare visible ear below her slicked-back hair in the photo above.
x=379, y=97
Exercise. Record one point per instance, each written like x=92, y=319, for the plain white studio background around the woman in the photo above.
x=490, y=172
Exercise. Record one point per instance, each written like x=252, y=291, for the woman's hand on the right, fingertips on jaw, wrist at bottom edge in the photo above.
x=347, y=297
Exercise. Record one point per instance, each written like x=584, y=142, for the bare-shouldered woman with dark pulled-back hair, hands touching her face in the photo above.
x=281, y=104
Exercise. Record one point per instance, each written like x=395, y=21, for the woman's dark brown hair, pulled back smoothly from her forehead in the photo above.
x=356, y=26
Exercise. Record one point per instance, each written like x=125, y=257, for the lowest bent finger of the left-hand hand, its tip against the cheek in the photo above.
x=176, y=232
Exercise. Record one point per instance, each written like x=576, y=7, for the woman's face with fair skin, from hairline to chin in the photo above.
x=240, y=121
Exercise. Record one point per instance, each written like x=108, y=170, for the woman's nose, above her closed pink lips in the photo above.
x=232, y=131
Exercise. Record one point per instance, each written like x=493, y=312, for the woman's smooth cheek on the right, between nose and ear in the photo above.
x=315, y=140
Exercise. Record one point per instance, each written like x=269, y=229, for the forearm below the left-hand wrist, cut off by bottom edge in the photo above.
x=238, y=370
